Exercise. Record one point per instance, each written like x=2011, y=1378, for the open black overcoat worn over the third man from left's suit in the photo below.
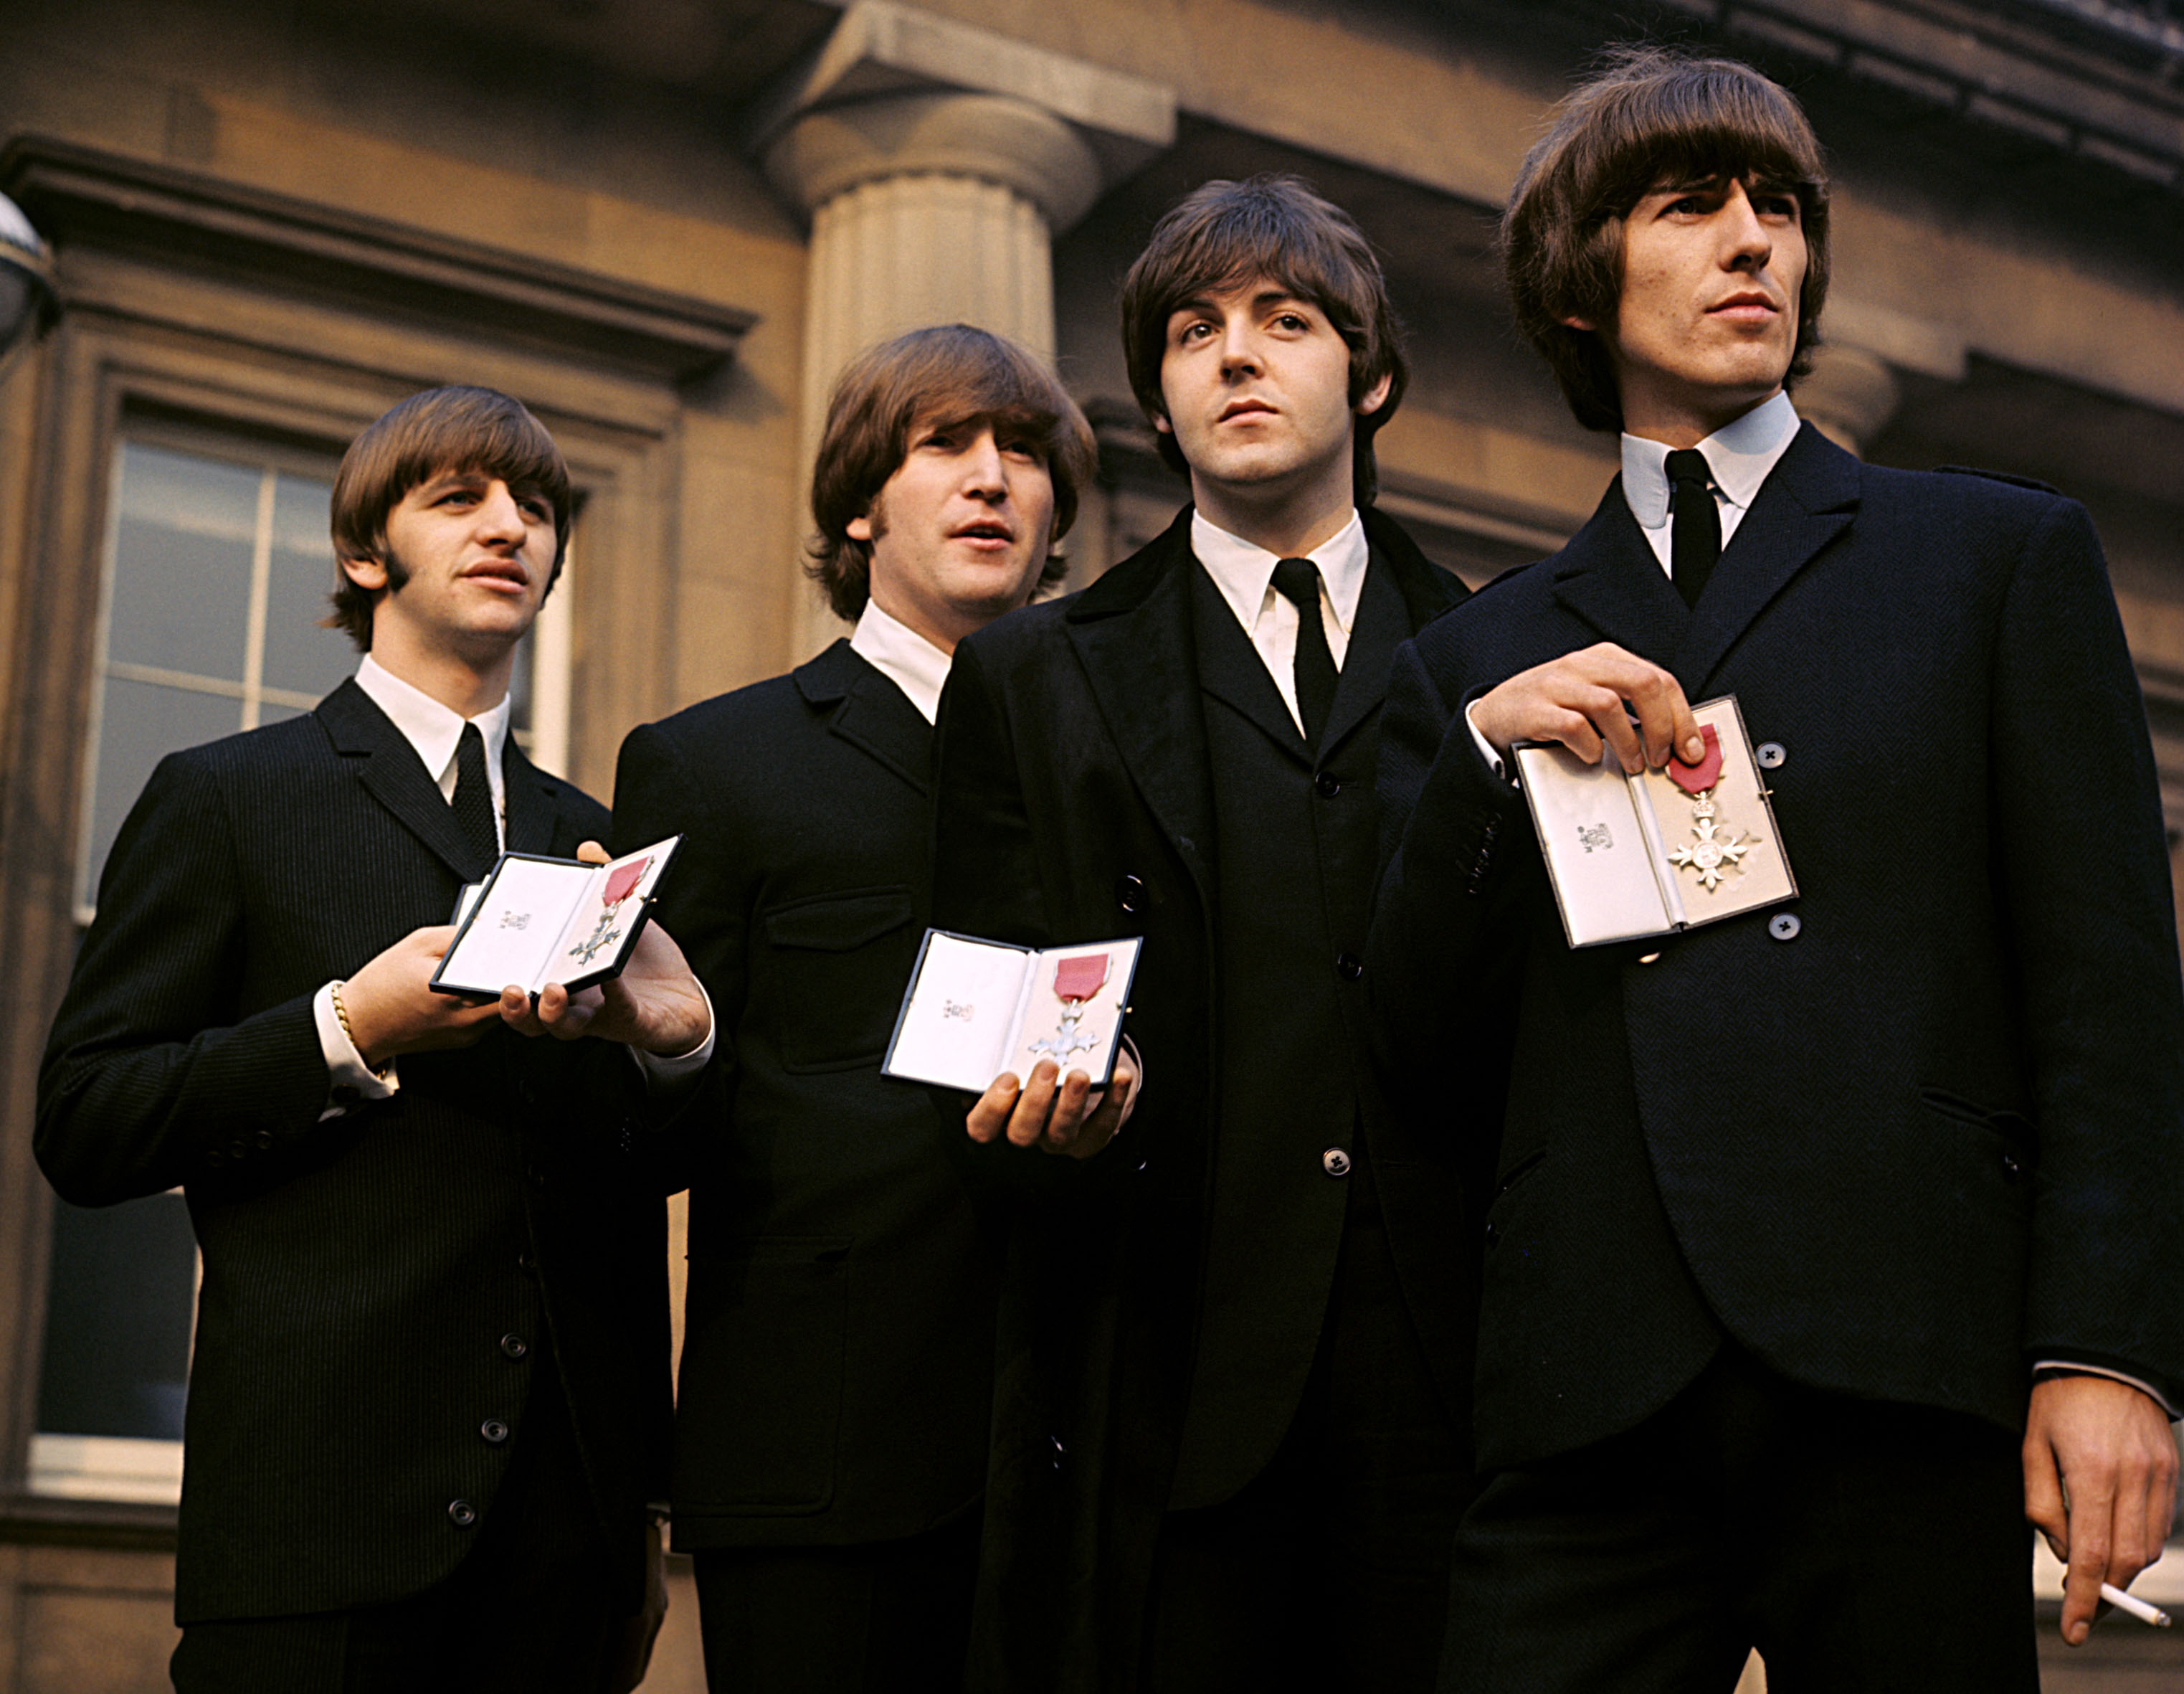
x=1076, y=803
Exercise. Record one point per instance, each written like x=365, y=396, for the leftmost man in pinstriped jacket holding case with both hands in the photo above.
x=429, y=1393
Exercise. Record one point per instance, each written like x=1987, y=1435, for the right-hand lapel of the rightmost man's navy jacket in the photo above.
x=1805, y=504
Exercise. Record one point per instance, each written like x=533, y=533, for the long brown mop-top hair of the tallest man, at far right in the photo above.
x=1650, y=117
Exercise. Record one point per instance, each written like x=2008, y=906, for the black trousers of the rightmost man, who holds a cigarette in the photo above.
x=1860, y=1546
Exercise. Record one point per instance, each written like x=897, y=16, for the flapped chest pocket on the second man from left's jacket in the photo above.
x=840, y=967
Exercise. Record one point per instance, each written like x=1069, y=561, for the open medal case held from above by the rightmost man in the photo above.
x=1661, y=851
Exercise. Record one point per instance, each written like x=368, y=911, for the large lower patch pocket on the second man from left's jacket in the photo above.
x=759, y=1404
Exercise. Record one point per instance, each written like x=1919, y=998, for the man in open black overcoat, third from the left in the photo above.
x=1235, y=1343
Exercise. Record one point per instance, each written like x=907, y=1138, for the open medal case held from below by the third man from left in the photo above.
x=980, y=1009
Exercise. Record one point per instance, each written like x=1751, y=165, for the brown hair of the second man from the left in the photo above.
x=947, y=375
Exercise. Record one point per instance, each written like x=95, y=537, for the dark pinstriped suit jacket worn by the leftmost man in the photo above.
x=359, y=1273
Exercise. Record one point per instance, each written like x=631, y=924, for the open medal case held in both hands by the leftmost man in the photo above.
x=538, y=921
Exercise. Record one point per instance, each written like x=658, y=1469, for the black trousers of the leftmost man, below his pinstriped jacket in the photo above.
x=538, y=1605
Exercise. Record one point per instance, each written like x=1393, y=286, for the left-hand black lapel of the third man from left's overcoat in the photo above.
x=1132, y=635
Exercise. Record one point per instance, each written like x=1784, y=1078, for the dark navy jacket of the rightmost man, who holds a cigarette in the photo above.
x=1923, y=1136
